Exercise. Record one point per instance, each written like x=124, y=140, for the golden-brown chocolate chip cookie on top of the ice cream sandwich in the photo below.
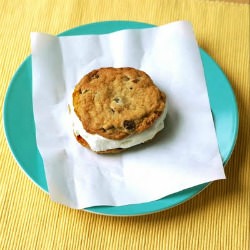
x=117, y=102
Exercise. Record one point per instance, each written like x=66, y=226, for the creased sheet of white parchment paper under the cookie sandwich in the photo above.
x=183, y=155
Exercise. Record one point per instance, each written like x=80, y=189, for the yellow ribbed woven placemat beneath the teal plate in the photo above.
x=218, y=218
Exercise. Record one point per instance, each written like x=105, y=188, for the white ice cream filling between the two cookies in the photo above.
x=99, y=143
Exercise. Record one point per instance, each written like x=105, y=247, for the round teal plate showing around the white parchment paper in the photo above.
x=20, y=127
